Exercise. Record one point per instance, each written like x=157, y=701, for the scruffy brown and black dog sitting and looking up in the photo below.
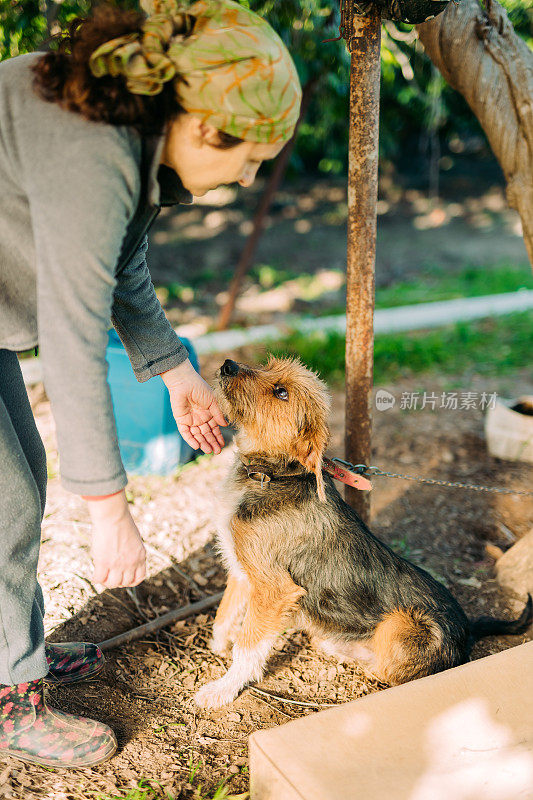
x=298, y=556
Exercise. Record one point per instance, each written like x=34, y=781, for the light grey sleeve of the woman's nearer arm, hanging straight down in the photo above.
x=80, y=211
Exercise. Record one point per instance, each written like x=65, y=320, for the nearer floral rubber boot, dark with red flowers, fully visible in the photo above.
x=32, y=731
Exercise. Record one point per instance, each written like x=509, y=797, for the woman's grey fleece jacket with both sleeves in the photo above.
x=76, y=200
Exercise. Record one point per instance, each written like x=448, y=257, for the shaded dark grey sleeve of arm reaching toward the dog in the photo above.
x=150, y=341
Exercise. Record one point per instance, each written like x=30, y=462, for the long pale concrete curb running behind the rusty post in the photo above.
x=386, y=320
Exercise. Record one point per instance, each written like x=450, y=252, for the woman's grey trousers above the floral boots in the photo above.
x=22, y=500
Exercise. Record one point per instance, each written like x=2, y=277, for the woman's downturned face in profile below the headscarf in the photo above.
x=191, y=151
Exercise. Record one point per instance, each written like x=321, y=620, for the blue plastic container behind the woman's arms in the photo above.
x=149, y=441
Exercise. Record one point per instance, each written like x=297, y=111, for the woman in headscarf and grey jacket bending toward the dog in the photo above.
x=133, y=112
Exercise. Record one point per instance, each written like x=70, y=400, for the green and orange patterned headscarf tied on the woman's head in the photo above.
x=229, y=67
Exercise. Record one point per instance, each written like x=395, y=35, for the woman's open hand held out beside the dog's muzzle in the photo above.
x=195, y=408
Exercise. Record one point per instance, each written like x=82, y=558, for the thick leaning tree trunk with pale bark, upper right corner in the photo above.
x=478, y=52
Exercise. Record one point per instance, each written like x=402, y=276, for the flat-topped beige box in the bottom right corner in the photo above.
x=464, y=734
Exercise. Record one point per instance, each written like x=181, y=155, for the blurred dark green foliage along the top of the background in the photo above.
x=420, y=114
